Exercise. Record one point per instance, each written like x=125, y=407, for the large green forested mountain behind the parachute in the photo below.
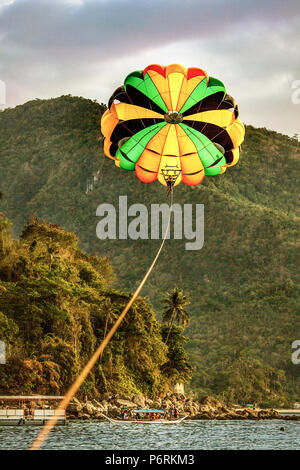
x=243, y=283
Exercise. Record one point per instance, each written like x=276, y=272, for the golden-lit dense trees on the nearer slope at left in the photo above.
x=55, y=306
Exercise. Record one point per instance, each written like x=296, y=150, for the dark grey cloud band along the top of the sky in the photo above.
x=127, y=25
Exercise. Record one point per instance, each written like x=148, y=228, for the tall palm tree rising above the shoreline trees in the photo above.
x=174, y=309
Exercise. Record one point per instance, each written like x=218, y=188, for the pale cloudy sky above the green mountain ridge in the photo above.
x=87, y=47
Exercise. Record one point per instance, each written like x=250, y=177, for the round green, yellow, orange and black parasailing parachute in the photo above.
x=172, y=121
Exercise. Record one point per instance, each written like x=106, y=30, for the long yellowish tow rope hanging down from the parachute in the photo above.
x=86, y=370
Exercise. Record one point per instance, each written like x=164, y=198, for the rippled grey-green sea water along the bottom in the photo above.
x=188, y=436
